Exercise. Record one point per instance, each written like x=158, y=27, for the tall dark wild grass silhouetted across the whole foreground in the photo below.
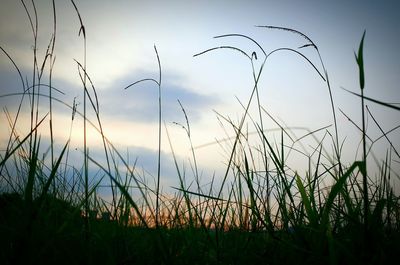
x=263, y=212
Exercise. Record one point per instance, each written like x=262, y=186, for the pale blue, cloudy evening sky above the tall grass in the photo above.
x=121, y=36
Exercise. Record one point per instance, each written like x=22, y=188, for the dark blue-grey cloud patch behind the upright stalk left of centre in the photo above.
x=139, y=103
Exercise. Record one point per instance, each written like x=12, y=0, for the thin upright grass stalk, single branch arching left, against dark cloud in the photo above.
x=158, y=83
